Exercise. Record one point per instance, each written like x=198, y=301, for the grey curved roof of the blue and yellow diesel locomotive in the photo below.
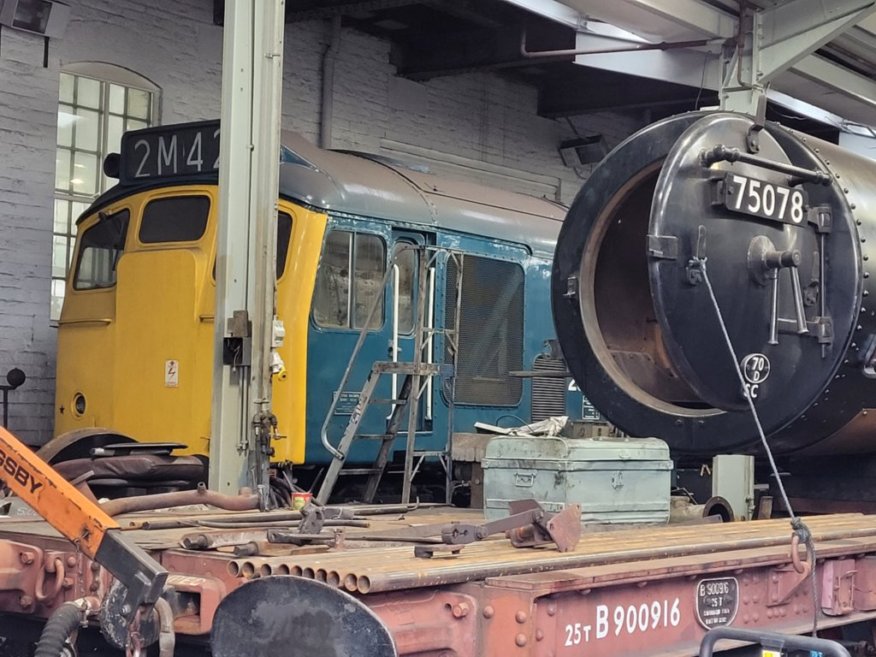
x=378, y=187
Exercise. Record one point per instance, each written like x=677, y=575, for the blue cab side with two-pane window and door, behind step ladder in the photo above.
x=358, y=256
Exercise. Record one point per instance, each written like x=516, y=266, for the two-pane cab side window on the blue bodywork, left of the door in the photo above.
x=338, y=302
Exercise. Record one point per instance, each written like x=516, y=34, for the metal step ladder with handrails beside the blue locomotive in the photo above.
x=418, y=375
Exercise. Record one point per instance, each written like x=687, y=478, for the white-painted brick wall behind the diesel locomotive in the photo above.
x=477, y=125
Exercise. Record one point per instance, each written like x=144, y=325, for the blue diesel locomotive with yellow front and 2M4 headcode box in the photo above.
x=135, y=337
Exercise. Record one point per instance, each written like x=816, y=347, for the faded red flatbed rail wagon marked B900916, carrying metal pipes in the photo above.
x=652, y=590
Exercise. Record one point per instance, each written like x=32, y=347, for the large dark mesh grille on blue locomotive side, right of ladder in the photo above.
x=490, y=330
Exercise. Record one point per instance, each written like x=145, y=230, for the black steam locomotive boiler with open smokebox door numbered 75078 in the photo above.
x=781, y=227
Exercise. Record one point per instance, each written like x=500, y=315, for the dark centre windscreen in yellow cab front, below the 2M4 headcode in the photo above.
x=177, y=219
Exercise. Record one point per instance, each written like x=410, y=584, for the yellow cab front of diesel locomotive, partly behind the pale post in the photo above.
x=141, y=293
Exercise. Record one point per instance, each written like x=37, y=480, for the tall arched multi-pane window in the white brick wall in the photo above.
x=96, y=104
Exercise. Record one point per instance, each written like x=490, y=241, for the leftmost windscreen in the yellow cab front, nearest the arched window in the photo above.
x=99, y=252
